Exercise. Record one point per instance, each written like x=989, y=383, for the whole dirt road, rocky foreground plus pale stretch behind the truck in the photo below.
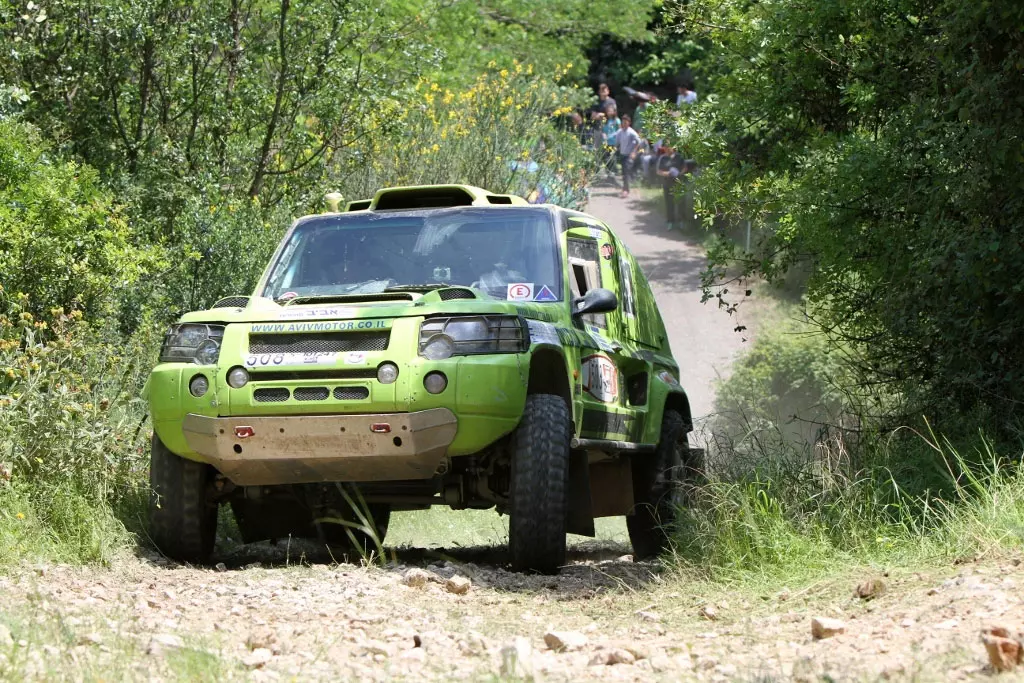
x=285, y=613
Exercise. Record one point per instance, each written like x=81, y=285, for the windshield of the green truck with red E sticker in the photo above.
x=507, y=253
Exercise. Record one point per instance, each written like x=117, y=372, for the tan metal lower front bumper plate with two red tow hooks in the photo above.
x=328, y=448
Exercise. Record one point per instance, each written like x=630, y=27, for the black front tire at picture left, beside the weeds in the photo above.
x=183, y=514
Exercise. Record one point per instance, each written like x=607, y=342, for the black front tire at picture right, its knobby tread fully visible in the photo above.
x=539, y=500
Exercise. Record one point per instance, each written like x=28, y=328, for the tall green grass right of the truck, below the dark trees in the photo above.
x=782, y=524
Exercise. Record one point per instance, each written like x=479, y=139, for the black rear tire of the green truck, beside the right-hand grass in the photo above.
x=658, y=483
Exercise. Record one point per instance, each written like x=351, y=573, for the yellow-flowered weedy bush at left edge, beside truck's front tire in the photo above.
x=72, y=453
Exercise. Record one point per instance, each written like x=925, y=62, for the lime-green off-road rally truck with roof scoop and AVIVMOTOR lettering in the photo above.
x=435, y=346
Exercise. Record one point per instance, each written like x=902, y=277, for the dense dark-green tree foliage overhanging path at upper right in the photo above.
x=878, y=145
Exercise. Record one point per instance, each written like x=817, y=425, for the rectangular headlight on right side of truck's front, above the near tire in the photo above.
x=443, y=337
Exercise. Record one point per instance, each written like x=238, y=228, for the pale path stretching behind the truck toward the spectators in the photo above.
x=702, y=335
